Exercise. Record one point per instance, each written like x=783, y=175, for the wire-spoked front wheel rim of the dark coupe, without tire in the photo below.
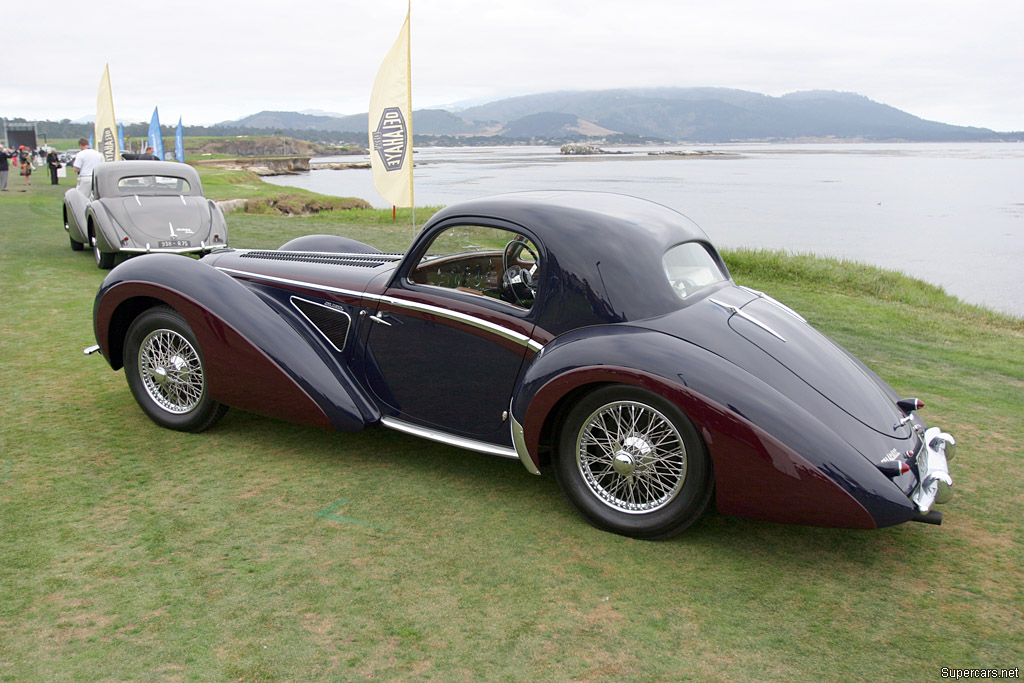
x=172, y=371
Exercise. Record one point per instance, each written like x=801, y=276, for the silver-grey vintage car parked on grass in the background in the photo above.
x=140, y=207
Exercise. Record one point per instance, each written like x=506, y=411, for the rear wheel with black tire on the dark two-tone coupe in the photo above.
x=633, y=463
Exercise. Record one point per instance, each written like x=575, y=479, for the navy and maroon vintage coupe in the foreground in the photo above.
x=599, y=333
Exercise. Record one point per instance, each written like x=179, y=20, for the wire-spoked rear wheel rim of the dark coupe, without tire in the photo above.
x=631, y=457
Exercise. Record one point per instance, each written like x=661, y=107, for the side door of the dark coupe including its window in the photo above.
x=451, y=332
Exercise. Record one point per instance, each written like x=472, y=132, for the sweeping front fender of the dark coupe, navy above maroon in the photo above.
x=257, y=361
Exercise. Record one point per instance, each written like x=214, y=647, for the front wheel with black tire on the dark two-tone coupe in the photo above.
x=166, y=372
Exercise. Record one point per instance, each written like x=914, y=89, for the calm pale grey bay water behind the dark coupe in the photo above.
x=952, y=215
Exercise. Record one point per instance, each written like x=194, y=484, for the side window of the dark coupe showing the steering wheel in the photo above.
x=486, y=262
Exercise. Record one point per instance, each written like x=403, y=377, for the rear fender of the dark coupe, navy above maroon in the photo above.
x=774, y=461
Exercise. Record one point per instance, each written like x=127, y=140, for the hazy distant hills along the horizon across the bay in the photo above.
x=699, y=115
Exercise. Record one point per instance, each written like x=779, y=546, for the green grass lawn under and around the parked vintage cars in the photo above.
x=265, y=551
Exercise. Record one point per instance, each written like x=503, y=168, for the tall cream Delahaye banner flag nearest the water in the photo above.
x=392, y=124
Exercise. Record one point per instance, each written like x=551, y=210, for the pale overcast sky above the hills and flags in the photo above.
x=958, y=62
